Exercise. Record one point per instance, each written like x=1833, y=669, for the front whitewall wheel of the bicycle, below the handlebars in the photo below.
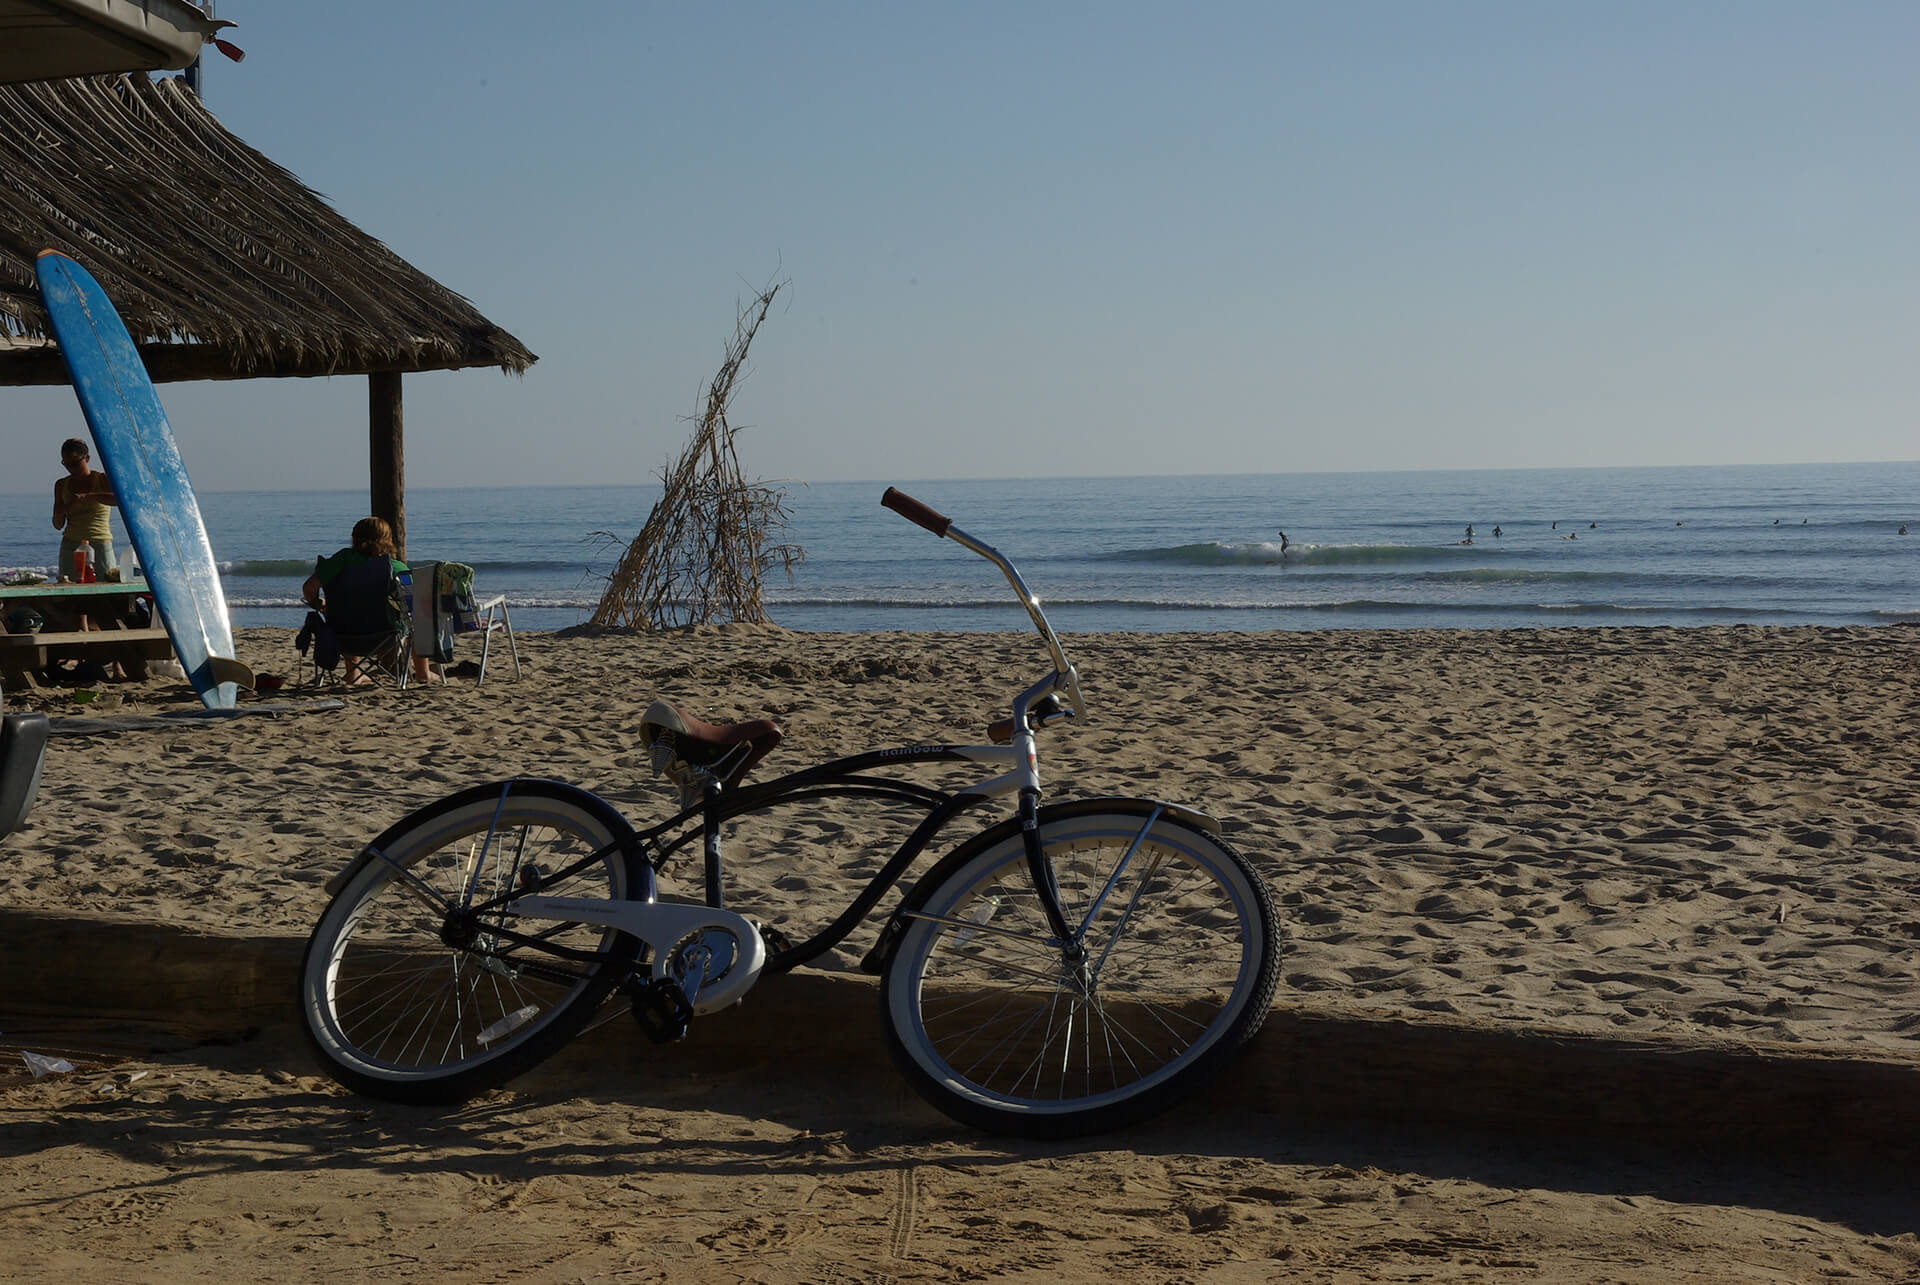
x=1005, y=1029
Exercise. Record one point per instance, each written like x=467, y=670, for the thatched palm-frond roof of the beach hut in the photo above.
x=222, y=264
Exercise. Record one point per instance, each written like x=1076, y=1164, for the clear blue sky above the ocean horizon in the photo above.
x=1101, y=239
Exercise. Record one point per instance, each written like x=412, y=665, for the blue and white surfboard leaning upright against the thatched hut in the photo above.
x=149, y=477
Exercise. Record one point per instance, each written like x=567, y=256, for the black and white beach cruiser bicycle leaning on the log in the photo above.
x=1065, y=971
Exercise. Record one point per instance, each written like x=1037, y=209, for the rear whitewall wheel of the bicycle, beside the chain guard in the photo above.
x=400, y=1013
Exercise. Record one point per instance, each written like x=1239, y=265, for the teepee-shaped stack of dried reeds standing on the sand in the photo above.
x=711, y=535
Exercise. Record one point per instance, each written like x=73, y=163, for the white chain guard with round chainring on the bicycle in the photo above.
x=713, y=956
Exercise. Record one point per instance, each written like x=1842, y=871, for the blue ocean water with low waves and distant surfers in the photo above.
x=1810, y=545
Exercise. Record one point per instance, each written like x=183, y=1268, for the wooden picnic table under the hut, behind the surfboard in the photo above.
x=82, y=623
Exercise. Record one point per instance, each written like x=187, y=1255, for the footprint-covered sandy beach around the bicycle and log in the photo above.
x=1706, y=836
